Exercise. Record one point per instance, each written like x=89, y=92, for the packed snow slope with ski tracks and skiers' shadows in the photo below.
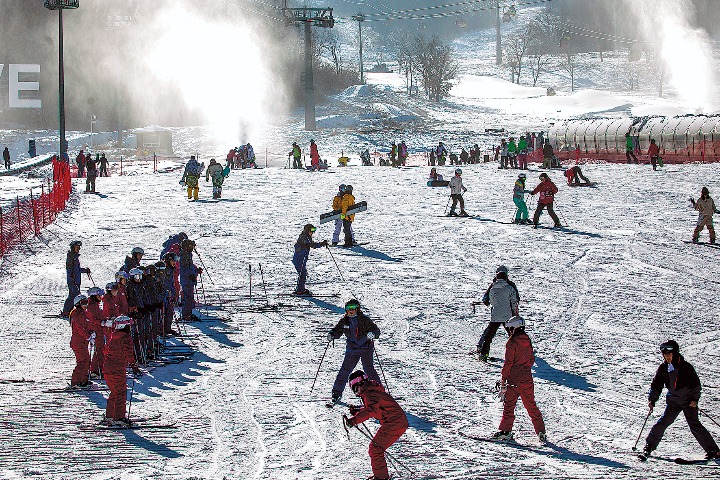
x=599, y=297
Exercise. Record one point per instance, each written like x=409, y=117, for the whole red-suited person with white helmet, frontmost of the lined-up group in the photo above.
x=119, y=353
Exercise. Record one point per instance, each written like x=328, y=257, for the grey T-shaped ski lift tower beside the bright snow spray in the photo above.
x=319, y=17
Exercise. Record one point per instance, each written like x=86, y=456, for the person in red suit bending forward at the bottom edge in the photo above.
x=380, y=405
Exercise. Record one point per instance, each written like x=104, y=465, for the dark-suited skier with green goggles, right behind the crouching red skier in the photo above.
x=360, y=331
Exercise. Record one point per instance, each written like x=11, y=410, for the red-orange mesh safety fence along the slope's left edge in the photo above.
x=30, y=215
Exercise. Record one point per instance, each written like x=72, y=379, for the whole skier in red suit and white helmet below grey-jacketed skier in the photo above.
x=517, y=381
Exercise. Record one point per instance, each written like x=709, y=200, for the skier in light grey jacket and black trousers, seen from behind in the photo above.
x=503, y=298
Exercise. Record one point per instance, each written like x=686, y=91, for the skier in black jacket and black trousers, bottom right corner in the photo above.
x=683, y=395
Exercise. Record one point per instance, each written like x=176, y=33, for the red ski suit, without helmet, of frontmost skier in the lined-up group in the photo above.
x=119, y=353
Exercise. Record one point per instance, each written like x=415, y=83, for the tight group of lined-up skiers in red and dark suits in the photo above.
x=122, y=325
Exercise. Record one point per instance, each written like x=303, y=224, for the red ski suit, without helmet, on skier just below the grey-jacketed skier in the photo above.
x=516, y=373
